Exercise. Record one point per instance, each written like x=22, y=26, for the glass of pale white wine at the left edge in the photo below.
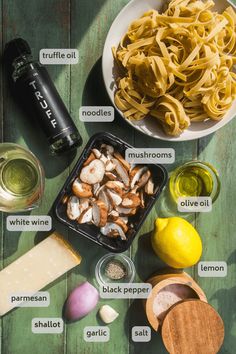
x=21, y=179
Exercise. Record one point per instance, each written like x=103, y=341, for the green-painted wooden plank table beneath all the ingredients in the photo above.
x=83, y=24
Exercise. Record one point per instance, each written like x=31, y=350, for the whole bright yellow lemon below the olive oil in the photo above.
x=176, y=242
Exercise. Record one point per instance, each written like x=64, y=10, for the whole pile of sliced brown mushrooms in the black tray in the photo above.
x=108, y=191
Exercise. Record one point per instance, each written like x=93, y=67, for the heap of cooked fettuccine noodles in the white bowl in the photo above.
x=178, y=66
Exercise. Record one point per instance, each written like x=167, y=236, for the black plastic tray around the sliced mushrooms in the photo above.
x=92, y=232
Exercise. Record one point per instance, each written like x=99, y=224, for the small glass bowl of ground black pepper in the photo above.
x=114, y=268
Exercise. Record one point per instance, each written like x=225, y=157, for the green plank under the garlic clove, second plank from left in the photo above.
x=90, y=22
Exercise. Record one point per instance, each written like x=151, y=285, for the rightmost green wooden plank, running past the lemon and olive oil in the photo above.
x=218, y=230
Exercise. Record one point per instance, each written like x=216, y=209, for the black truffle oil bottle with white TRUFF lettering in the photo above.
x=33, y=83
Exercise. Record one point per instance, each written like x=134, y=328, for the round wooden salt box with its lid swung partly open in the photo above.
x=178, y=307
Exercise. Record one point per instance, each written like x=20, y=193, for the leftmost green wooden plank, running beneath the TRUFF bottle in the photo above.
x=34, y=21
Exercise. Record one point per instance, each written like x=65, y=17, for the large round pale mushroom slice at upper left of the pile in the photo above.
x=93, y=173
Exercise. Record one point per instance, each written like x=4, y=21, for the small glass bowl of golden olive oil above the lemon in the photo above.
x=195, y=179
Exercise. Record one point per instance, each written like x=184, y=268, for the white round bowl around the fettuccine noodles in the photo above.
x=133, y=10
